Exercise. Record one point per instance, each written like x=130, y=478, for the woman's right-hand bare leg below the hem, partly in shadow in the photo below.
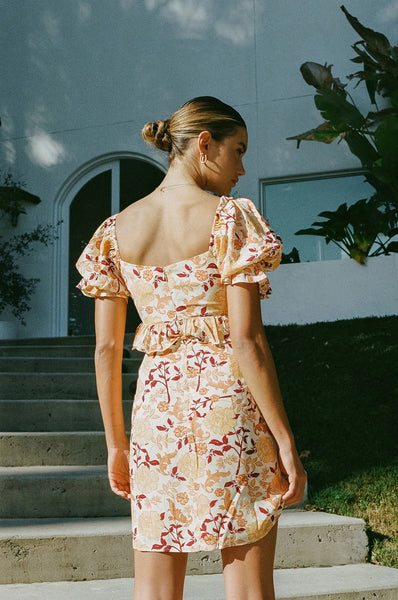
x=248, y=570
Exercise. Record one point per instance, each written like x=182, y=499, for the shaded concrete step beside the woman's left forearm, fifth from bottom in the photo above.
x=54, y=415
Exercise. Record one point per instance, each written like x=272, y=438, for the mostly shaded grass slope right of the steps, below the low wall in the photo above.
x=339, y=381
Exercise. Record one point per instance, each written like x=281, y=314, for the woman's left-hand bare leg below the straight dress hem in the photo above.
x=159, y=575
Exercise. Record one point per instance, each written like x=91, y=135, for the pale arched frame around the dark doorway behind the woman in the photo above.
x=64, y=198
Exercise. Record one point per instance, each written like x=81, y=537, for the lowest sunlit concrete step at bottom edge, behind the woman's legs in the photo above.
x=351, y=582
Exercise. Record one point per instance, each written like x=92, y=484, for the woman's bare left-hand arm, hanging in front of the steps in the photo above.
x=110, y=323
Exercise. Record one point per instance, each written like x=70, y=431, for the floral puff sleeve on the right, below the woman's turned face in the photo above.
x=245, y=246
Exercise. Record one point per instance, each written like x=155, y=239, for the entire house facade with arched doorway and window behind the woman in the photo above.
x=81, y=77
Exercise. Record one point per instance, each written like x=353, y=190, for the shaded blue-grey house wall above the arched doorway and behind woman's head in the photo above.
x=81, y=77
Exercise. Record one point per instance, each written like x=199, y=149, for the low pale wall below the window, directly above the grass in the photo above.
x=332, y=290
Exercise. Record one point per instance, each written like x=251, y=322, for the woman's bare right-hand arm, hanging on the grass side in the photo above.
x=255, y=361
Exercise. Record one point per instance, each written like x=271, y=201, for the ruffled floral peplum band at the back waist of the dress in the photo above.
x=161, y=336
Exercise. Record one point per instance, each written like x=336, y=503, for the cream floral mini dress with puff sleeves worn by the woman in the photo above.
x=204, y=466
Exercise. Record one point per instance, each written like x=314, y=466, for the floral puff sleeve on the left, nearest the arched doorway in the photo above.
x=99, y=265
